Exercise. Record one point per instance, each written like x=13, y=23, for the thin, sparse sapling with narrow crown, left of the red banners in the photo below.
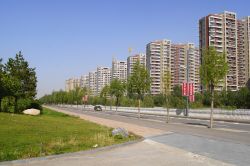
x=166, y=89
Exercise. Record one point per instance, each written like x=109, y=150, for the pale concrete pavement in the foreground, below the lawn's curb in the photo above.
x=145, y=153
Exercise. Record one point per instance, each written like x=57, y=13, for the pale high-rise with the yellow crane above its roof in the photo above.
x=131, y=60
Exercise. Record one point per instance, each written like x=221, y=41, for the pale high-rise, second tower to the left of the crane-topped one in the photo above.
x=103, y=77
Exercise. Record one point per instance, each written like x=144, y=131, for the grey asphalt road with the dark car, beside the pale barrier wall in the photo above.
x=225, y=131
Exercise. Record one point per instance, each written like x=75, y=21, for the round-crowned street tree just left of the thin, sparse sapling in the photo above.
x=139, y=83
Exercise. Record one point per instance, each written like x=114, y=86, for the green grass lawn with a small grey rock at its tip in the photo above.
x=24, y=136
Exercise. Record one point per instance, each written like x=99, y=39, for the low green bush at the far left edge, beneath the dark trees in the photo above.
x=8, y=104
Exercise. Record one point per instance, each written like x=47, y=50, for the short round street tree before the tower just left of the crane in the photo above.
x=117, y=89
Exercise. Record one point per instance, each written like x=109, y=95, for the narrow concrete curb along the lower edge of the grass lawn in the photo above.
x=51, y=157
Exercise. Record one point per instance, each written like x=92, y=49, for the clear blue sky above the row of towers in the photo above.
x=69, y=38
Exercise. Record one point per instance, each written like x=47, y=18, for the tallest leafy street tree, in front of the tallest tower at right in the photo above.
x=212, y=70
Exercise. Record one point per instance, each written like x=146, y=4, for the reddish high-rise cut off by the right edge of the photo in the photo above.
x=243, y=51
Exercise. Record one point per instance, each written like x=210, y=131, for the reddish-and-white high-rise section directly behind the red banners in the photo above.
x=185, y=63
